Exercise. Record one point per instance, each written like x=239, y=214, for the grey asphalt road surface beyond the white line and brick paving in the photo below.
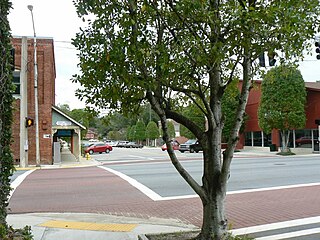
x=146, y=167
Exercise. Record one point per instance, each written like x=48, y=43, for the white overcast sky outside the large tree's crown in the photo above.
x=58, y=19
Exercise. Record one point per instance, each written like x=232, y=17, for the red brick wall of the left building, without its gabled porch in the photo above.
x=46, y=98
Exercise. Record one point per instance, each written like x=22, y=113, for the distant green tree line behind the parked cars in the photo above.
x=143, y=125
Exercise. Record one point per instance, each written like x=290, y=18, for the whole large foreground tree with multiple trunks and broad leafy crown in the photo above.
x=174, y=53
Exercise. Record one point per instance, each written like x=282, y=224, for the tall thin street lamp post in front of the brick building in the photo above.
x=36, y=109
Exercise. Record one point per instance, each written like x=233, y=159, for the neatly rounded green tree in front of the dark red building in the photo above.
x=282, y=104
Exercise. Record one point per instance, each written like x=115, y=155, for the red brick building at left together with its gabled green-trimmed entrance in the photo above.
x=53, y=124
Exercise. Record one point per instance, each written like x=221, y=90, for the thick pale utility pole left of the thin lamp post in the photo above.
x=23, y=104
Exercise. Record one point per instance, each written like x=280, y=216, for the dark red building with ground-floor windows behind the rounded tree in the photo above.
x=306, y=139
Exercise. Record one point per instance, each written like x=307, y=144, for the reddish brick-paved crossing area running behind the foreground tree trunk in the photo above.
x=66, y=190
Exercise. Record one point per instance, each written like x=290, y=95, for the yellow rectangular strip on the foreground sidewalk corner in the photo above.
x=113, y=227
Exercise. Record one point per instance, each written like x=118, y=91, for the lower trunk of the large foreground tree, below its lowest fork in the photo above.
x=214, y=220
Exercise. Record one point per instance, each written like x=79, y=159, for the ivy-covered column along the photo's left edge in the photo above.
x=6, y=99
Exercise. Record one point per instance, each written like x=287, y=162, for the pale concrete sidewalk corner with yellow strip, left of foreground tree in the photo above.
x=75, y=226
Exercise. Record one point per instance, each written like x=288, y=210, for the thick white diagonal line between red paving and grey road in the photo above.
x=144, y=189
